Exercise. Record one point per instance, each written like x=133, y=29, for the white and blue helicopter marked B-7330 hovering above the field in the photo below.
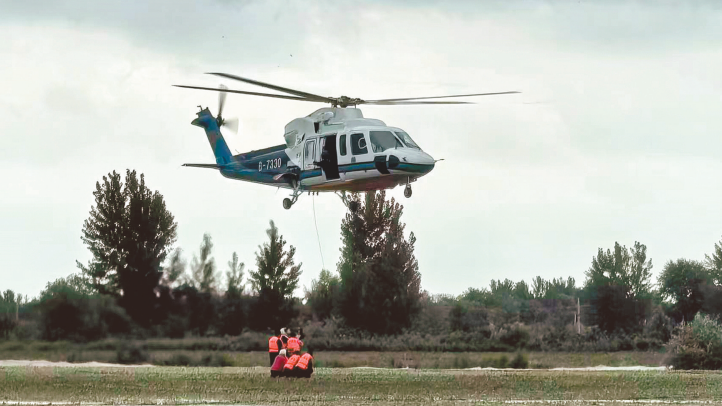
x=334, y=149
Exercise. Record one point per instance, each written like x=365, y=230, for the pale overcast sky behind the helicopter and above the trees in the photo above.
x=616, y=136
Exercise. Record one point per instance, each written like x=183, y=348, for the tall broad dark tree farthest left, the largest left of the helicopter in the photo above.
x=129, y=233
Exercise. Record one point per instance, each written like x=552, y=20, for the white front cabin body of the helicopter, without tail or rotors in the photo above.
x=337, y=149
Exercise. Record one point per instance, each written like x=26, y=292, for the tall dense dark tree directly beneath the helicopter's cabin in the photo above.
x=380, y=283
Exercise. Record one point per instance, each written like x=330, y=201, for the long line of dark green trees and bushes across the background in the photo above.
x=138, y=284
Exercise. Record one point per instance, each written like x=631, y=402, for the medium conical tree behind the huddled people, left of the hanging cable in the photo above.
x=275, y=279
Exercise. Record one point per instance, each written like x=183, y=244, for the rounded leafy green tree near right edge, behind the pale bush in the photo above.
x=681, y=281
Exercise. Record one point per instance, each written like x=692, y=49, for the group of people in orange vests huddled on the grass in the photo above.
x=284, y=353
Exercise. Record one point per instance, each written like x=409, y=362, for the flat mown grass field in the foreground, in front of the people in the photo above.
x=174, y=385
